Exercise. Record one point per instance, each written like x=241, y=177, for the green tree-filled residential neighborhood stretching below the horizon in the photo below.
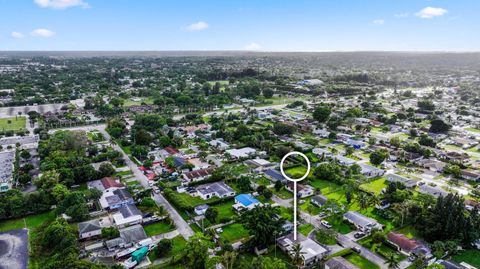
x=175, y=163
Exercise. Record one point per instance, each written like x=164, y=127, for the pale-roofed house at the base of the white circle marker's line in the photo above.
x=312, y=252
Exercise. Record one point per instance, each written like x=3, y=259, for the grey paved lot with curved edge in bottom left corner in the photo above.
x=14, y=249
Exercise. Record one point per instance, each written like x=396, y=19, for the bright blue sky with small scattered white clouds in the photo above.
x=264, y=25
